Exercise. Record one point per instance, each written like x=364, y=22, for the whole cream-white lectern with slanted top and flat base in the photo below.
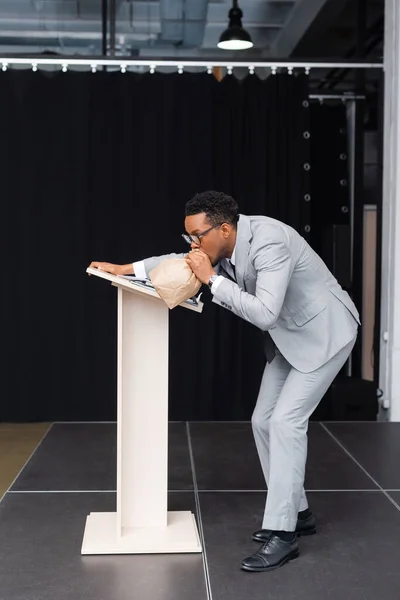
x=142, y=523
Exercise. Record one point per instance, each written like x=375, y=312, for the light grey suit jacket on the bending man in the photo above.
x=284, y=288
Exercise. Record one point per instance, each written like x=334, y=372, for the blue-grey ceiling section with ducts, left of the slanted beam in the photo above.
x=143, y=27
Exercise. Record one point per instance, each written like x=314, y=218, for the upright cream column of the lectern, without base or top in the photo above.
x=142, y=452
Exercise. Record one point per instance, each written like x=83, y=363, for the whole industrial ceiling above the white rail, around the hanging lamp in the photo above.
x=174, y=28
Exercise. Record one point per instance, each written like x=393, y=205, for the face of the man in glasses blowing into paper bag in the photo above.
x=212, y=243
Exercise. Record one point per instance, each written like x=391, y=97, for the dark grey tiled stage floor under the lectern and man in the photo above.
x=355, y=554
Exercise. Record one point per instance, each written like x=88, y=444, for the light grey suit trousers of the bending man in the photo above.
x=286, y=400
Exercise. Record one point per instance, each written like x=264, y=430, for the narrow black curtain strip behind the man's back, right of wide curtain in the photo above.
x=350, y=397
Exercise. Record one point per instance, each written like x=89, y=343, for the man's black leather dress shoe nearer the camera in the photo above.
x=272, y=555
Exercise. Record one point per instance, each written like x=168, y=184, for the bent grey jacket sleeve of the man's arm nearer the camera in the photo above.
x=273, y=265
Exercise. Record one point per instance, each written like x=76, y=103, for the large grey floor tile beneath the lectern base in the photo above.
x=40, y=543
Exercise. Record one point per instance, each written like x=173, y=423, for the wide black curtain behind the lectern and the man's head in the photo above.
x=98, y=167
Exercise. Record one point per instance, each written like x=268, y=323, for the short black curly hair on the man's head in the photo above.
x=218, y=207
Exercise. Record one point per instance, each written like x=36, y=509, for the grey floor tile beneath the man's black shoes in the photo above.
x=354, y=555
